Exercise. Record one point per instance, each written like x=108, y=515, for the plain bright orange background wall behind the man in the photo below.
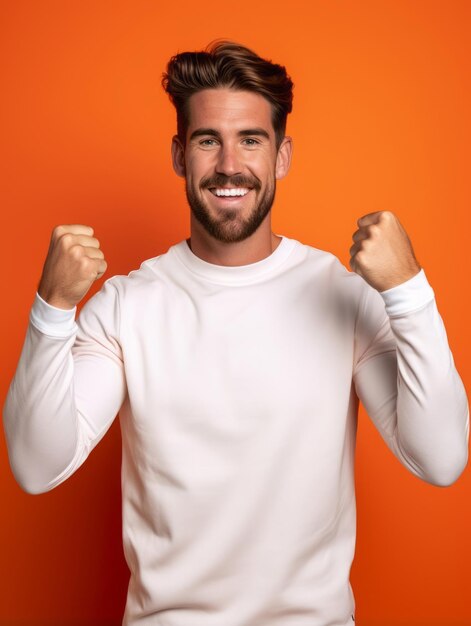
x=380, y=121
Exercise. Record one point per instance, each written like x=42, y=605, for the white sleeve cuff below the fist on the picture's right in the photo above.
x=409, y=296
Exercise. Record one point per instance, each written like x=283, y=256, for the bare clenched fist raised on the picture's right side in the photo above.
x=382, y=253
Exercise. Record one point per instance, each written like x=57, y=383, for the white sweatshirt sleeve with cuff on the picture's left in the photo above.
x=68, y=386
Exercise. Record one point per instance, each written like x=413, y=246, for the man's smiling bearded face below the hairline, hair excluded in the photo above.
x=229, y=162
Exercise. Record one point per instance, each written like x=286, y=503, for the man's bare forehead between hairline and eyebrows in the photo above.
x=226, y=109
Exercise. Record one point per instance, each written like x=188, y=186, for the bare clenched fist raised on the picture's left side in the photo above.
x=74, y=261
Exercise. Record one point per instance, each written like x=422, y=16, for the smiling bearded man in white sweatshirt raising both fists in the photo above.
x=236, y=360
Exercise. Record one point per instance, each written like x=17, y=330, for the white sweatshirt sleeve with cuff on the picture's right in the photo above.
x=406, y=379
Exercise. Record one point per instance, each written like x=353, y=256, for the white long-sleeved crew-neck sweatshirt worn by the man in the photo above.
x=237, y=390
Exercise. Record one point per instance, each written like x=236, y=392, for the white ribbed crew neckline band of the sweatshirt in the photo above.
x=234, y=274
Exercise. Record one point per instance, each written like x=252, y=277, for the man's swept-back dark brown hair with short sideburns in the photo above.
x=228, y=64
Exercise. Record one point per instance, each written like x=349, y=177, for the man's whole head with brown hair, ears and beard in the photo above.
x=231, y=144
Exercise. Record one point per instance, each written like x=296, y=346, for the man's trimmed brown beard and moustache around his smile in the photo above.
x=231, y=227
